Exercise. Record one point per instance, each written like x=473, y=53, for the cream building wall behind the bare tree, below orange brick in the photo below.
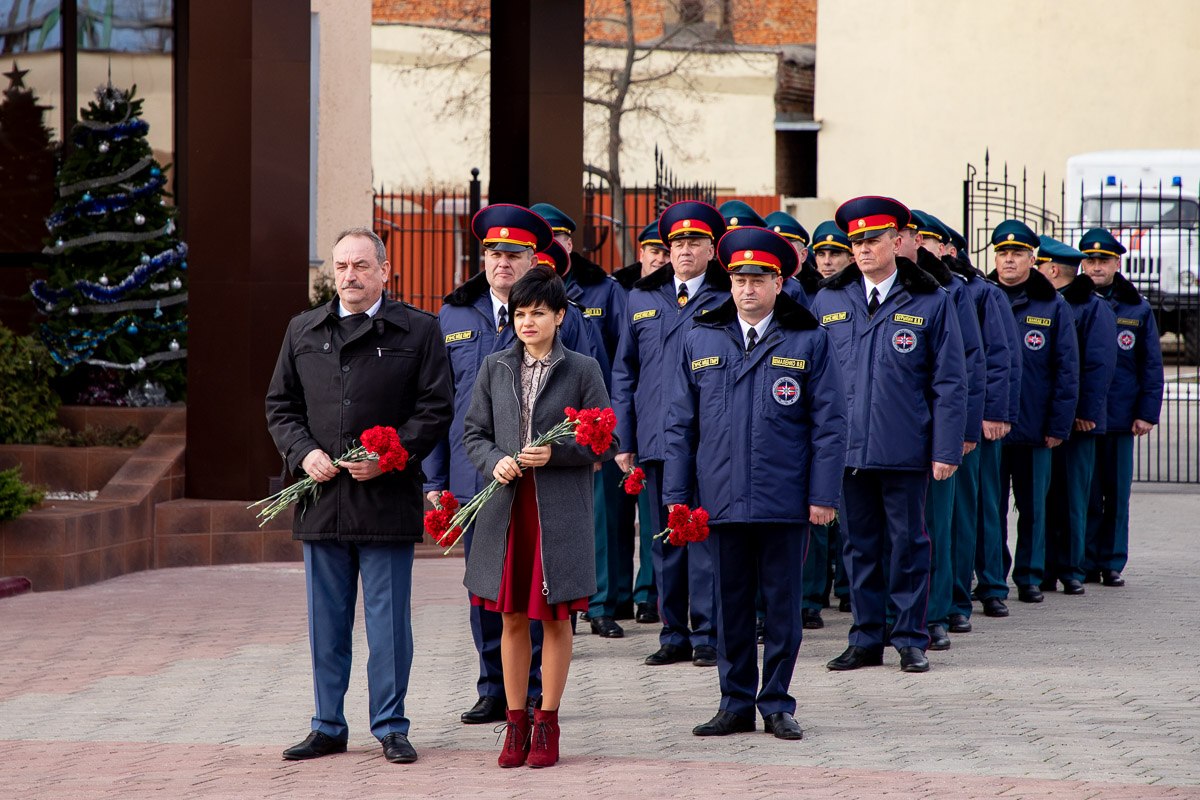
x=723, y=131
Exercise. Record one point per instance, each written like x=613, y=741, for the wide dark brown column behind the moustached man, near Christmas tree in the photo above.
x=243, y=190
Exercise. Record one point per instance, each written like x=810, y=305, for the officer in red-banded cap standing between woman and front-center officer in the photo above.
x=661, y=312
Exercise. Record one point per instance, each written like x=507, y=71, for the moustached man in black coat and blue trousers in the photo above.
x=361, y=362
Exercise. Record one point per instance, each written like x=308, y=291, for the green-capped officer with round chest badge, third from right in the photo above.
x=1048, y=398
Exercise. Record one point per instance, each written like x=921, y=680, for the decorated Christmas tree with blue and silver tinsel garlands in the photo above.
x=116, y=300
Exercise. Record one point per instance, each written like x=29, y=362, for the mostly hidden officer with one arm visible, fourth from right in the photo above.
x=976, y=531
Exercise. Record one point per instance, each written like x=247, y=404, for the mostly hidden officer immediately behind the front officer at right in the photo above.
x=926, y=244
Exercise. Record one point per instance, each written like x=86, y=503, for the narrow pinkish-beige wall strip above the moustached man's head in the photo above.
x=343, y=136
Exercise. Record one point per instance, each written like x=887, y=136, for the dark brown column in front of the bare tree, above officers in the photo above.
x=537, y=141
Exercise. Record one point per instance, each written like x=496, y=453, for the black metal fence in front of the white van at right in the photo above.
x=1160, y=225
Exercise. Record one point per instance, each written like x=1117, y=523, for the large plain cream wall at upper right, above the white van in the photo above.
x=909, y=92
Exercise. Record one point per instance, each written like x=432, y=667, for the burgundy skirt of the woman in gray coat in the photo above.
x=521, y=585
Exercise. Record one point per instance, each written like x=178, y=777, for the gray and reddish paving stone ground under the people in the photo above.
x=188, y=683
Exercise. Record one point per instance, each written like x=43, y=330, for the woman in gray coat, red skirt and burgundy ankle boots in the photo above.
x=533, y=556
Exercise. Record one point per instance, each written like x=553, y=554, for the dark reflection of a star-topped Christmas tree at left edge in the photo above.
x=27, y=167
